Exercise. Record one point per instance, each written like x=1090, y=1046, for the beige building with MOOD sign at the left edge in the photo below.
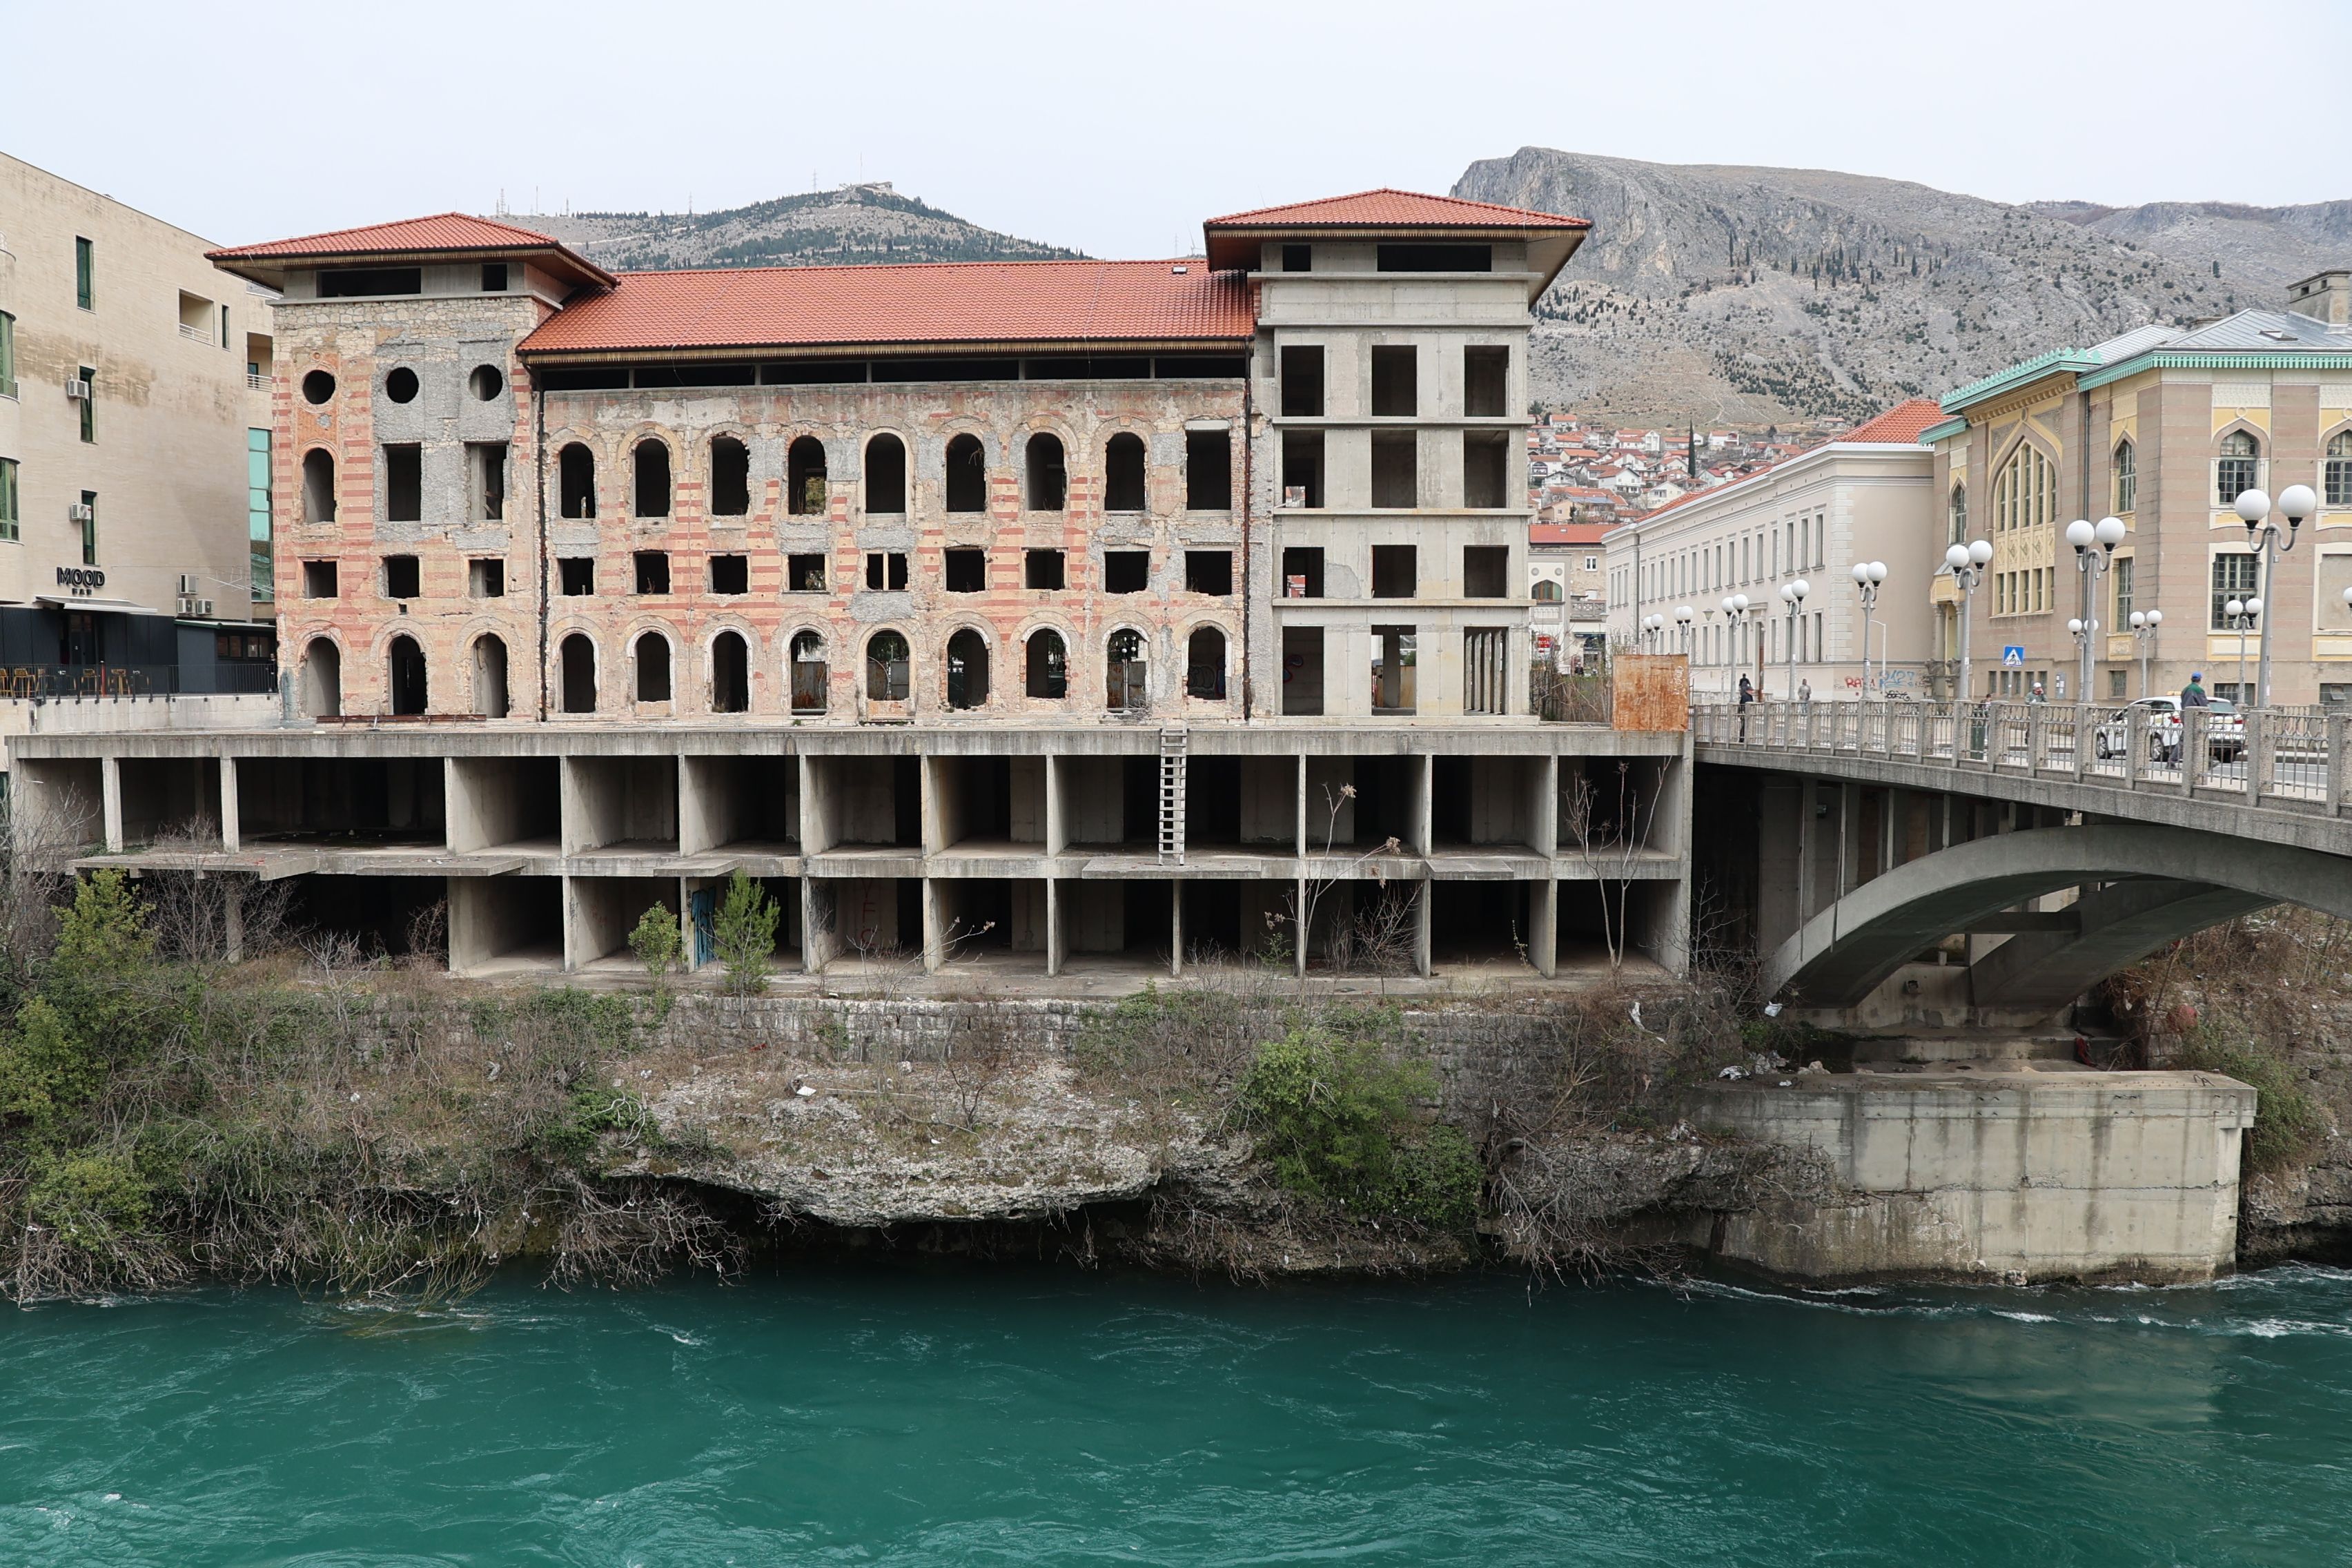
x=135, y=467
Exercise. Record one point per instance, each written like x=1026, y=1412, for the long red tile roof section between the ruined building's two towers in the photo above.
x=954, y=302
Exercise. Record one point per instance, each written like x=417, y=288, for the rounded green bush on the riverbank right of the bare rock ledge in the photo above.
x=1335, y=1120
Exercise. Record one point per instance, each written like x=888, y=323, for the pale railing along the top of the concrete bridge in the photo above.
x=2294, y=758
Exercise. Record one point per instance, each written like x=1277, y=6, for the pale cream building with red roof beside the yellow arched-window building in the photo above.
x=1864, y=497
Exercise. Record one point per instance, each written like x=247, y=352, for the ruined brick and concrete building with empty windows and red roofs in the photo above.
x=994, y=612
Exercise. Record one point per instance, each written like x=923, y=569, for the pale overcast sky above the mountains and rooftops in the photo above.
x=1118, y=128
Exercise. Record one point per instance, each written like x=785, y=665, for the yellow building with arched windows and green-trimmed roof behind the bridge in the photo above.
x=2160, y=429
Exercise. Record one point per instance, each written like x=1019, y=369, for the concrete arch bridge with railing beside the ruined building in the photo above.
x=1993, y=862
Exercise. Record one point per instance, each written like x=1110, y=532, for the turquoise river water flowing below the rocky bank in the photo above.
x=1031, y=1416
